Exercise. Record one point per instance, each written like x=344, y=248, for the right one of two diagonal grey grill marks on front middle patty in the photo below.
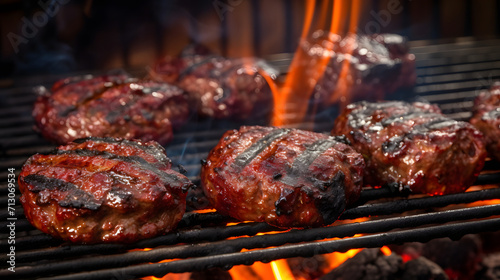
x=301, y=164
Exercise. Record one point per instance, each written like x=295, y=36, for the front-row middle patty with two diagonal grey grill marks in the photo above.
x=285, y=177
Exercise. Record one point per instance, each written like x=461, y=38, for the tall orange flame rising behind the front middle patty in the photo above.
x=292, y=99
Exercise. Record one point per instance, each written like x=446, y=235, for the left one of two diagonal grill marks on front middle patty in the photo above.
x=256, y=148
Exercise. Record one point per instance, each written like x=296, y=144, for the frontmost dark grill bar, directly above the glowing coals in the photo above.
x=305, y=249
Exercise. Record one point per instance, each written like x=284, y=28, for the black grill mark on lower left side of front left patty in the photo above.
x=76, y=197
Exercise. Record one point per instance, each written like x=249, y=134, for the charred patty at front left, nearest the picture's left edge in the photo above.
x=98, y=190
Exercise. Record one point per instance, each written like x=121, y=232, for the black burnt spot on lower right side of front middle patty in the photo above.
x=333, y=201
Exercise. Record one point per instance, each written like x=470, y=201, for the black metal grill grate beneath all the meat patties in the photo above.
x=449, y=74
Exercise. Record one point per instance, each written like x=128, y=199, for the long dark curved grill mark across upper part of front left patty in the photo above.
x=136, y=160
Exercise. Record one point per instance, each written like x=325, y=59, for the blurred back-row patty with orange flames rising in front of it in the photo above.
x=373, y=65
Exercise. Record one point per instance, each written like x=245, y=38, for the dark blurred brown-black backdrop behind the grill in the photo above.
x=84, y=35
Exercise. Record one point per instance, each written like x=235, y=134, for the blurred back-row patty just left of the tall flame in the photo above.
x=220, y=87
